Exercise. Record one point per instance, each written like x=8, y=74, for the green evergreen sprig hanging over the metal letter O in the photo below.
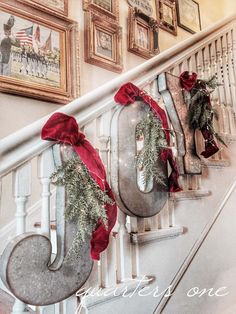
x=150, y=129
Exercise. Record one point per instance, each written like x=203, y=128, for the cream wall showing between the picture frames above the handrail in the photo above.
x=16, y=112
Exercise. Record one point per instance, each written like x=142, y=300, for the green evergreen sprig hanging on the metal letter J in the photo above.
x=85, y=200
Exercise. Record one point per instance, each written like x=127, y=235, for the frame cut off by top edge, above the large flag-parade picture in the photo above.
x=52, y=6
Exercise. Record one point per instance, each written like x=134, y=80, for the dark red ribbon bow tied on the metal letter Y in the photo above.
x=189, y=82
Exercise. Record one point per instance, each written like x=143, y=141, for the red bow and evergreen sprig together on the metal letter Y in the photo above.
x=200, y=111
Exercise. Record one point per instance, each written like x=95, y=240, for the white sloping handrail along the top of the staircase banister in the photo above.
x=90, y=106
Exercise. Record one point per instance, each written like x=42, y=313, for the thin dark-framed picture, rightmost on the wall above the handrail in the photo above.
x=188, y=14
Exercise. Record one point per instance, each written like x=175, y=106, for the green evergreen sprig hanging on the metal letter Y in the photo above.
x=200, y=112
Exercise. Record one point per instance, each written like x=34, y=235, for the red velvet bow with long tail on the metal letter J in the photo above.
x=64, y=129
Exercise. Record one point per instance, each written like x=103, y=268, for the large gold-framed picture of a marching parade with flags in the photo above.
x=38, y=54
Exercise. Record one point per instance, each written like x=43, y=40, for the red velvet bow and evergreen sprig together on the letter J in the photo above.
x=90, y=201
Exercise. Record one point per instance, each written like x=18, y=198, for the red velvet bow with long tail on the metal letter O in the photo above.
x=128, y=94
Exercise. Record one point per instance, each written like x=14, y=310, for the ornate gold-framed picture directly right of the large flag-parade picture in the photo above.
x=102, y=43
